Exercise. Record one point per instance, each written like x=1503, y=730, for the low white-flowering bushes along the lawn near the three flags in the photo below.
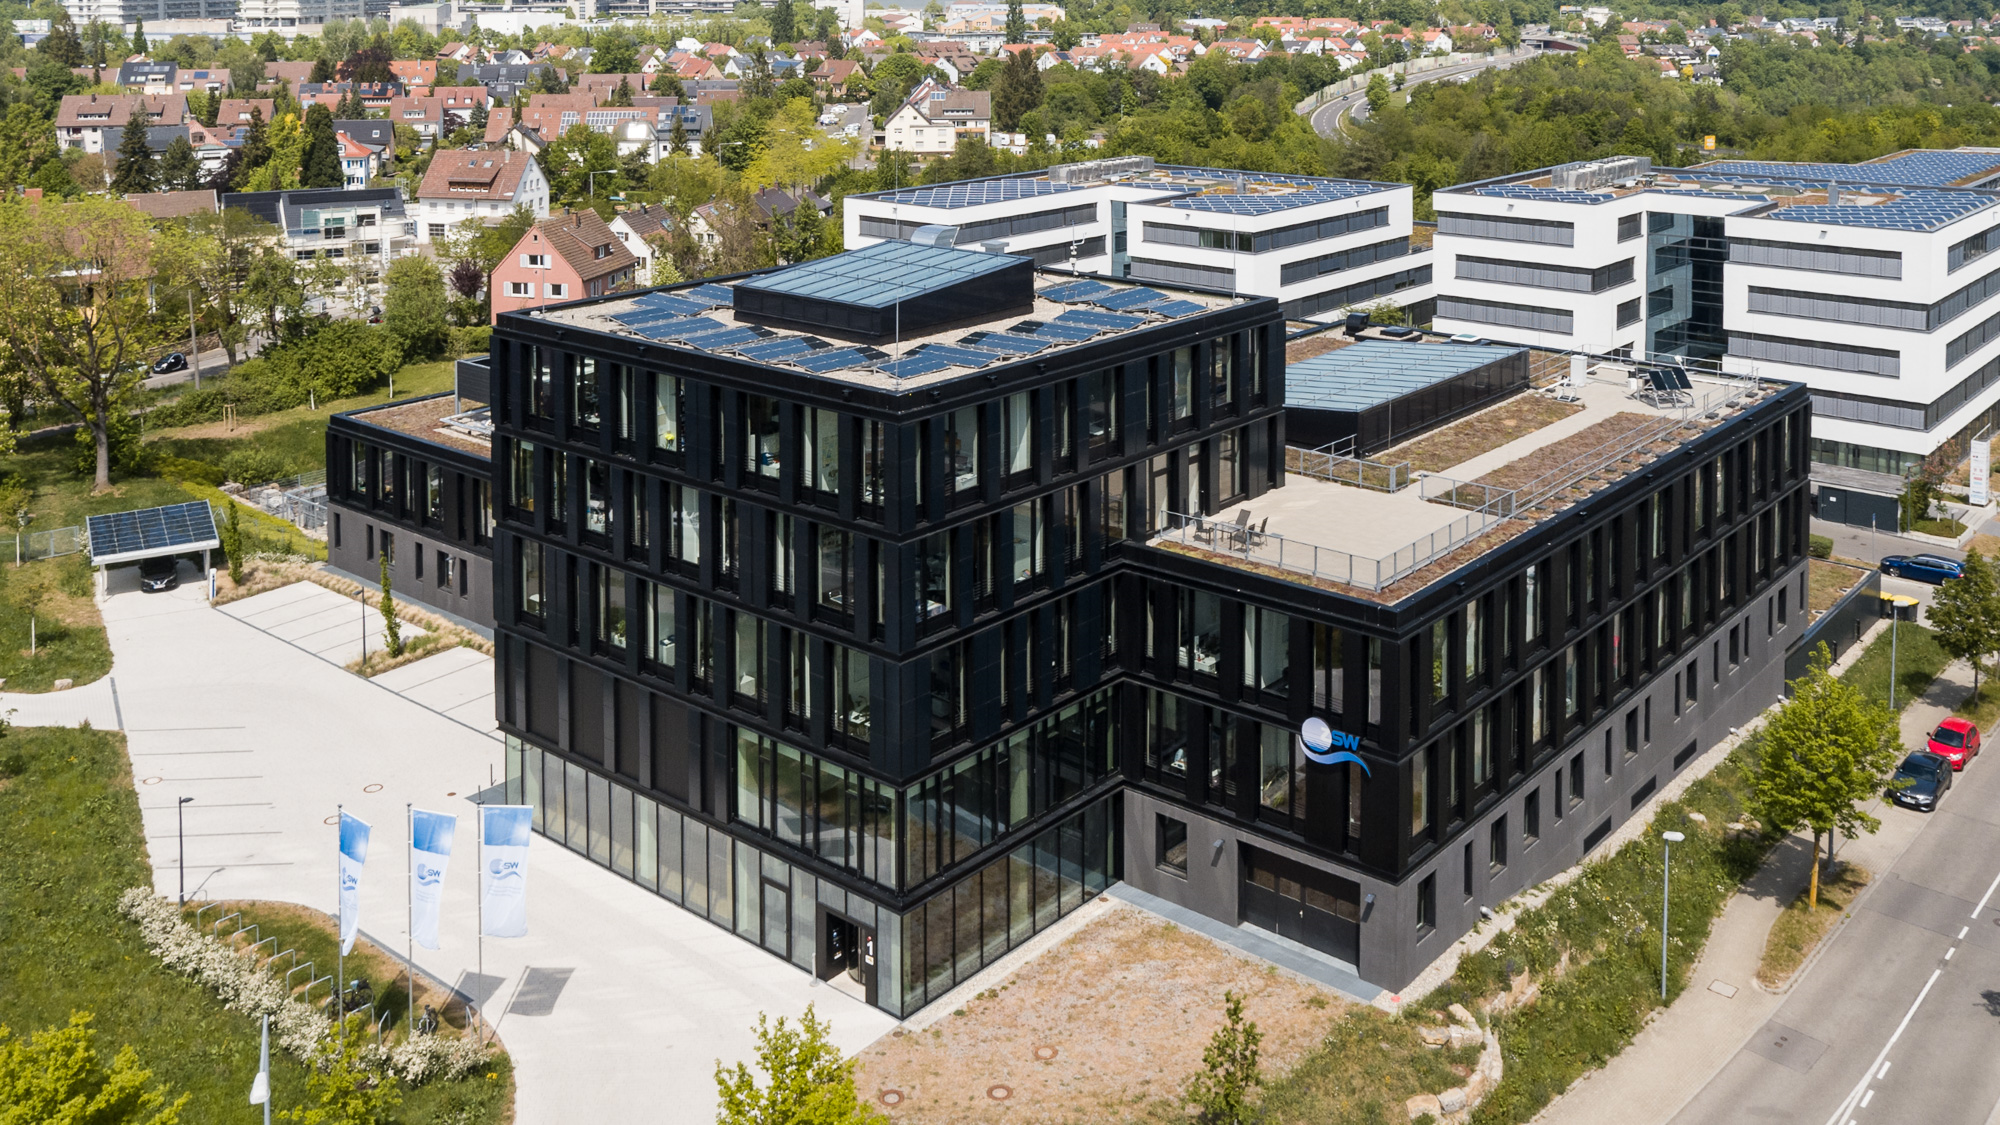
x=249, y=988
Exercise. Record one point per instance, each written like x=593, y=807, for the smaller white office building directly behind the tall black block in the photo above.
x=1321, y=247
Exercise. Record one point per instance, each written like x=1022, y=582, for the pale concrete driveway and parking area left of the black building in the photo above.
x=615, y=998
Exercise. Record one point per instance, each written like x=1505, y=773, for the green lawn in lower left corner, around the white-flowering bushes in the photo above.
x=73, y=846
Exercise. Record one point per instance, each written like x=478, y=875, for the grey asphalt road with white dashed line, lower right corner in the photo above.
x=1899, y=1020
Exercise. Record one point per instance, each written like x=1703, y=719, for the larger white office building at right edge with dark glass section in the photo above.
x=1869, y=283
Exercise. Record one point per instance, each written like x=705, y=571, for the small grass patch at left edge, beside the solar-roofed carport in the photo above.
x=67, y=630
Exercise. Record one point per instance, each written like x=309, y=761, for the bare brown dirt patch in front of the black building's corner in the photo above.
x=1105, y=1028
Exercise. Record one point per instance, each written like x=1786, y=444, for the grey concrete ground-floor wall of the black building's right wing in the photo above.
x=1391, y=950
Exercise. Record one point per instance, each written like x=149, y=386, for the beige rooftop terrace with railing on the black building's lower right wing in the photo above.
x=1379, y=531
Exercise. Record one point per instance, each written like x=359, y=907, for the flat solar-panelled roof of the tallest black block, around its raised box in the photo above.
x=1065, y=311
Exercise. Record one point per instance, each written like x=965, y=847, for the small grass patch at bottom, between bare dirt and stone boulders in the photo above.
x=1363, y=1072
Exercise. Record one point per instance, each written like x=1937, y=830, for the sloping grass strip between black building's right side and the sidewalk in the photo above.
x=1595, y=944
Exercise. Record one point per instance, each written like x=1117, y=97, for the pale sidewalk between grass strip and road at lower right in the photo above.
x=1683, y=1048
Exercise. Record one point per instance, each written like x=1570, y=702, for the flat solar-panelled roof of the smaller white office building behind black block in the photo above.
x=1185, y=187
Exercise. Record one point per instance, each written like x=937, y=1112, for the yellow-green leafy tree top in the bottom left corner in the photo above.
x=57, y=1076
